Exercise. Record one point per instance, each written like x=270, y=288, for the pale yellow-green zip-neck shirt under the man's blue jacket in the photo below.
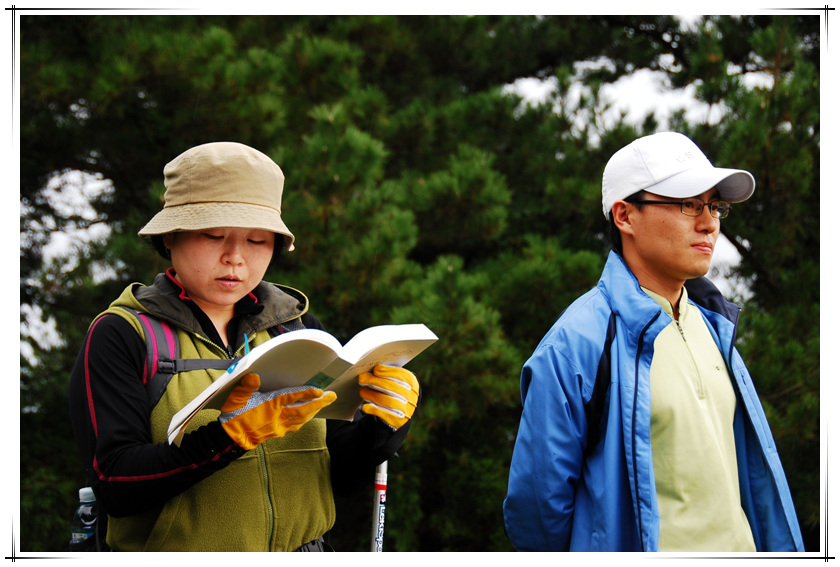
x=691, y=431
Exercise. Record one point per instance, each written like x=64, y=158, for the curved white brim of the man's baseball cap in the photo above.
x=734, y=185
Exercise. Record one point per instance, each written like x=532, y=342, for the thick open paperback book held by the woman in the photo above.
x=314, y=358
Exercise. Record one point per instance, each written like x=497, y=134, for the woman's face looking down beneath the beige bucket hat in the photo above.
x=220, y=266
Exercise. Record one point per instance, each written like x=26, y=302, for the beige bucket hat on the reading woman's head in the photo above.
x=221, y=185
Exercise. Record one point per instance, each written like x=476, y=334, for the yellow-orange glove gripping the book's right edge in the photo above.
x=391, y=394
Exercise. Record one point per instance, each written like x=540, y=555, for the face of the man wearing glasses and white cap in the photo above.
x=668, y=246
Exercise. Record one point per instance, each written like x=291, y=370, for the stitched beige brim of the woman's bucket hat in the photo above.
x=202, y=216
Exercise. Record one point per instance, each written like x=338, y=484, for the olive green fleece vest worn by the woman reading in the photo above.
x=275, y=497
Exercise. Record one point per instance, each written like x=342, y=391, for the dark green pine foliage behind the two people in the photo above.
x=419, y=188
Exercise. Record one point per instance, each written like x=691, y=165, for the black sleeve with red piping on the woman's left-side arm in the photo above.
x=110, y=413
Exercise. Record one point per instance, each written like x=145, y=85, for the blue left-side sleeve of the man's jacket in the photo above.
x=548, y=454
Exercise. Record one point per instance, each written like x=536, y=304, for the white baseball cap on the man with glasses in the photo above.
x=671, y=165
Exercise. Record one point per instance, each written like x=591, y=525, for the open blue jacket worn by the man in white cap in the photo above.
x=570, y=492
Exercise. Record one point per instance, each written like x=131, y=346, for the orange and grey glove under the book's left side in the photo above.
x=250, y=416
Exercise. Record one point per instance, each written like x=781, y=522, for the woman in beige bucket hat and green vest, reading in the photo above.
x=260, y=475
